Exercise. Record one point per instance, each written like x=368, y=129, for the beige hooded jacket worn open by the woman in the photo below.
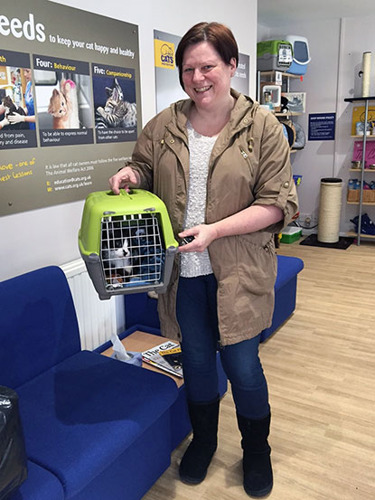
x=249, y=165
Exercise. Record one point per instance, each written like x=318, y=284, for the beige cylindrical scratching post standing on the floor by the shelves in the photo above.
x=329, y=210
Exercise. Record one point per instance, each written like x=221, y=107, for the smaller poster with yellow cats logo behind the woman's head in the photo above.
x=168, y=89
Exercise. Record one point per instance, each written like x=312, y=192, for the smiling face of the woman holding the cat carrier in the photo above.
x=205, y=75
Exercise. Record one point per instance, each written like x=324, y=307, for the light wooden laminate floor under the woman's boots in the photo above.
x=320, y=367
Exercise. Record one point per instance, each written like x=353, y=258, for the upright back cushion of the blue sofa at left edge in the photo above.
x=38, y=328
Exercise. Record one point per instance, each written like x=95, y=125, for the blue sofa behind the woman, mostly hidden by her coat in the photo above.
x=141, y=310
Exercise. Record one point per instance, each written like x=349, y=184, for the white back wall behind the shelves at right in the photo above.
x=336, y=48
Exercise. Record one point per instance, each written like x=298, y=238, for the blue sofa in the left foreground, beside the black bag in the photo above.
x=95, y=428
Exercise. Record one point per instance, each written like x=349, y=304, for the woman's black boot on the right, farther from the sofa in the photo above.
x=257, y=468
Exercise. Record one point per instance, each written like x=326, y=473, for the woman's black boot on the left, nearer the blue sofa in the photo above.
x=204, y=419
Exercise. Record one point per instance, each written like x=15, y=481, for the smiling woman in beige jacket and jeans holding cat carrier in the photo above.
x=221, y=165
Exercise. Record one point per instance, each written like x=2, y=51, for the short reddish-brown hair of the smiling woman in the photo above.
x=218, y=35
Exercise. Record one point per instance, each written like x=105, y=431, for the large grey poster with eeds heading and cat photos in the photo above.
x=70, y=102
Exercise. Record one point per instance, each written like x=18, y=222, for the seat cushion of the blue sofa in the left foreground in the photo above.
x=82, y=414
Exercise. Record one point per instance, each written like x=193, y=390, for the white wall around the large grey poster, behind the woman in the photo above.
x=49, y=236
